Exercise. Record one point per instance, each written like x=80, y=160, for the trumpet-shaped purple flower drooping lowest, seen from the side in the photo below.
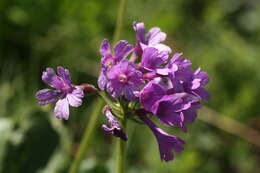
x=167, y=143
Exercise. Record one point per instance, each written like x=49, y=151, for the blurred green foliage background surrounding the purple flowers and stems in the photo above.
x=221, y=36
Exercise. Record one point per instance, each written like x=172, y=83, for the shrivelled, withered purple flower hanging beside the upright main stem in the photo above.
x=114, y=127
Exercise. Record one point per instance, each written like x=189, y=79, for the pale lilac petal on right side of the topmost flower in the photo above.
x=155, y=36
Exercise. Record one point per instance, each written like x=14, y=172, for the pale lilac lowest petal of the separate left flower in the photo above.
x=61, y=109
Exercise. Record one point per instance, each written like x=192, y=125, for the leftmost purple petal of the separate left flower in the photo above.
x=47, y=96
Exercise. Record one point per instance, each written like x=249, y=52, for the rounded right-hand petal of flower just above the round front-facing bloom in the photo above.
x=122, y=49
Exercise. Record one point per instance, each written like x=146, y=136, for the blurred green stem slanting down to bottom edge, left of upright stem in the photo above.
x=87, y=135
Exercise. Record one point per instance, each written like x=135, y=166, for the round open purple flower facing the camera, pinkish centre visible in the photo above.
x=124, y=78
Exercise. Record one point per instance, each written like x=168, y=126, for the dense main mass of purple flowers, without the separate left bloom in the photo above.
x=164, y=87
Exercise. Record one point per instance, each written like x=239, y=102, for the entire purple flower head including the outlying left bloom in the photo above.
x=143, y=81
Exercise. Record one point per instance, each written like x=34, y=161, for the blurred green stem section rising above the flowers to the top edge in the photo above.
x=119, y=20
